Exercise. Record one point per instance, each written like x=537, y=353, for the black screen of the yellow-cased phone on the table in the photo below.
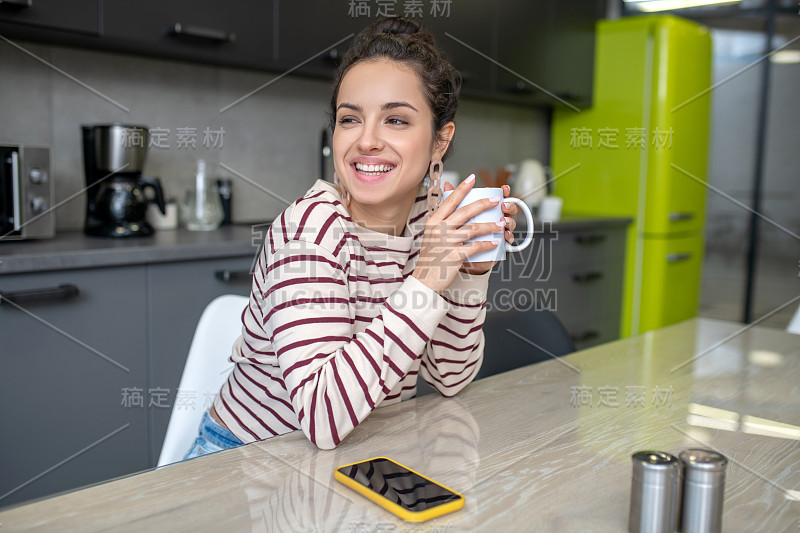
x=399, y=485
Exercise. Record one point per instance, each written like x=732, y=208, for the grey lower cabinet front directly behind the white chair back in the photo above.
x=178, y=294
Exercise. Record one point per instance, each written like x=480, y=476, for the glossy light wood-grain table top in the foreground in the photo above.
x=543, y=448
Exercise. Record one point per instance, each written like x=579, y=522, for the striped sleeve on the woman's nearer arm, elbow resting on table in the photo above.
x=336, y=377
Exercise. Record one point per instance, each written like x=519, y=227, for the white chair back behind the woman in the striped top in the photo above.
x=207, y=368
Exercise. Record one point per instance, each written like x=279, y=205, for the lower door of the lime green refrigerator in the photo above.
x=671, y=286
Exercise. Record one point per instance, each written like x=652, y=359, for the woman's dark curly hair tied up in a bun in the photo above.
x=403, y=40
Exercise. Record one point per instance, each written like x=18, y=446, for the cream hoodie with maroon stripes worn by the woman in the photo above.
x=337, y=326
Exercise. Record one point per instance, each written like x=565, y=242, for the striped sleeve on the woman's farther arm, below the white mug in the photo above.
x=455, y=352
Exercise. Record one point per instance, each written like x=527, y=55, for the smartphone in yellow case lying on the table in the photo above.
x=398, y=489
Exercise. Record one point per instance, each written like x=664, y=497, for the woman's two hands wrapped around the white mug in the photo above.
x=444, y=250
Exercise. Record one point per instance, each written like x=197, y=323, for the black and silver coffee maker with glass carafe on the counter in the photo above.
x=113, y=158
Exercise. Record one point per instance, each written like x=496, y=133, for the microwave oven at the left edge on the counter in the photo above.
x=26, y=193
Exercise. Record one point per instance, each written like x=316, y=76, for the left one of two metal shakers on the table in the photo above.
x=654, y=493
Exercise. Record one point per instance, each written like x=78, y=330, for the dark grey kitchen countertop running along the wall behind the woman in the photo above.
x=73, y=250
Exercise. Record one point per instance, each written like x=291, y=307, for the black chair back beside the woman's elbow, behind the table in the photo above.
x=519, y=338
